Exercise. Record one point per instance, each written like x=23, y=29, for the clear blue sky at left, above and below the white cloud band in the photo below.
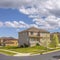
x=11, y=15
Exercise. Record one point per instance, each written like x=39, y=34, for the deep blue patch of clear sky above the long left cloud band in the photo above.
x=12, y=14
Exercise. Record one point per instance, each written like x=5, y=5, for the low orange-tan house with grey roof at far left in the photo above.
x=8, y=41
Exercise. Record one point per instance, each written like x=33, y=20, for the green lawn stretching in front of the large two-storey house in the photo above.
x=35, y=49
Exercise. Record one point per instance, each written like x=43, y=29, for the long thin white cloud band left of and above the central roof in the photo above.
x=19, y=24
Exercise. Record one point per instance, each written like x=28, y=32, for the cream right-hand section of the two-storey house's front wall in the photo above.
x=44, y=38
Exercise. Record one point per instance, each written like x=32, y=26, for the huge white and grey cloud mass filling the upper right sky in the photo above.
x=50, y=9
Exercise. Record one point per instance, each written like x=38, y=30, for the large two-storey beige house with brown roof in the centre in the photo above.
x=32, y=36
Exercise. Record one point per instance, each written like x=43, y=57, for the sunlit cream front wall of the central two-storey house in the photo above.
x=40, y=38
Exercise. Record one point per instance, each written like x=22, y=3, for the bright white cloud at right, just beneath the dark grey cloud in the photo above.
x=51, y=22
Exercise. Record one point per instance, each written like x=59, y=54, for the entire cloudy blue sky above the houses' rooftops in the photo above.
x=17, y=15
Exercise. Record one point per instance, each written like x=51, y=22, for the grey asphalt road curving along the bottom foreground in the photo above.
x=49, y=56
